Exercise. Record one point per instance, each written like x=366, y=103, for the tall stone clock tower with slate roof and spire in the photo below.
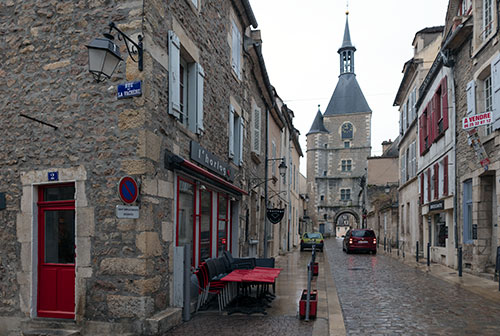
x=338, y=145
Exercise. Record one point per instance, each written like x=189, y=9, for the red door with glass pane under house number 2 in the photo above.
x=56, y=252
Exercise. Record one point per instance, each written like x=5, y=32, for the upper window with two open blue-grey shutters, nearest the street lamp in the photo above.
x=185, y=81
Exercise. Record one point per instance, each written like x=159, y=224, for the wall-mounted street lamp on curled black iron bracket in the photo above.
x=104, y=54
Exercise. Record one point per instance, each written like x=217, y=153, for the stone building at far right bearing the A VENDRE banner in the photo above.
x=472, y=47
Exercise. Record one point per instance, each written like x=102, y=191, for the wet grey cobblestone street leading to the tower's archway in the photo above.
x=381, y=296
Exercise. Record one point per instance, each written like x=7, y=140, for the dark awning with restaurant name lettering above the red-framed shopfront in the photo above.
x=173, y=161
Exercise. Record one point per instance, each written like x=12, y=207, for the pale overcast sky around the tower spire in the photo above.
x=300, y=43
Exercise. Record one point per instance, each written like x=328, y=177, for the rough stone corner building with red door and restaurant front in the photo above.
x=193, y=141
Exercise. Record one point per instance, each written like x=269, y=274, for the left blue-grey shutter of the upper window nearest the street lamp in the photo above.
x=174, y=45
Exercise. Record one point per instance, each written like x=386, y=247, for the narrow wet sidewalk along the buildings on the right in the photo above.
x=473, y=283
